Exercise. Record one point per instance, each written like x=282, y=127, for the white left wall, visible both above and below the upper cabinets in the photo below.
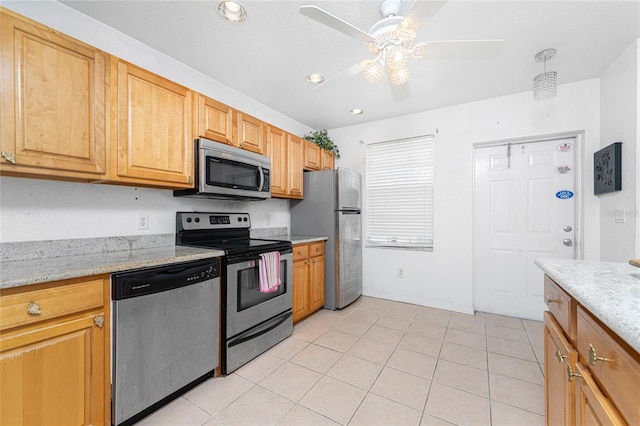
x=35, y=209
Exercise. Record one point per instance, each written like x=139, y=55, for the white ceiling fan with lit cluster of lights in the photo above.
x=390, y=41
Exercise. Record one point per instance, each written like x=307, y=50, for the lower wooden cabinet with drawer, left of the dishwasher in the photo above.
x=54, y=353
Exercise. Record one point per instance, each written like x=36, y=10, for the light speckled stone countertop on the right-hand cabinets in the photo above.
x=609, y=290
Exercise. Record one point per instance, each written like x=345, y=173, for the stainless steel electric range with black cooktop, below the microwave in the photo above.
x=251, y=321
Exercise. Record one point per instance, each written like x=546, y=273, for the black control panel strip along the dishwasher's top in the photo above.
x=147, y=281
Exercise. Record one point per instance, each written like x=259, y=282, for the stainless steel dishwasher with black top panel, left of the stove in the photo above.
x=165, y=335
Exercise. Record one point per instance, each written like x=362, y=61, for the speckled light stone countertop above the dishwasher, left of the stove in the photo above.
x=70, y=264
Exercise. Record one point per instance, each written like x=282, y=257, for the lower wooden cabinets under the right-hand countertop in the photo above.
x=592, y=377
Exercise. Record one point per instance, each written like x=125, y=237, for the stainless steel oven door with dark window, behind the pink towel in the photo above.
x=246, y=306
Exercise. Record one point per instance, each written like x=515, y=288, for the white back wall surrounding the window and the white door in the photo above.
x=443, y=278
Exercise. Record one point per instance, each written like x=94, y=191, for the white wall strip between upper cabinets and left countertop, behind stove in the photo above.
x=37, y=209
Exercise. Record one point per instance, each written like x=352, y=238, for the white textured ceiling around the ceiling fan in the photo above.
x=269, y=56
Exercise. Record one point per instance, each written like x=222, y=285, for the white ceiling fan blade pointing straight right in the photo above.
x=462, y=49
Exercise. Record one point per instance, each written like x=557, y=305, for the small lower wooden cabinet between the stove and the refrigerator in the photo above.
x=308, y=279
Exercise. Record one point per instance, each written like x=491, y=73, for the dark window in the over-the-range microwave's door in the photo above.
x=232, y=174
